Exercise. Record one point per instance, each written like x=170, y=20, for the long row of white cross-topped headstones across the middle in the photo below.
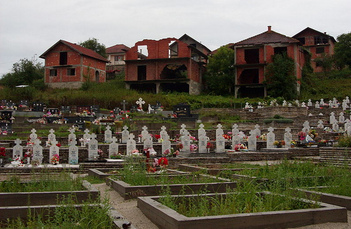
x=90, y=141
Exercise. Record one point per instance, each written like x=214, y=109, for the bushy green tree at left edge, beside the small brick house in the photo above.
x=23, y=72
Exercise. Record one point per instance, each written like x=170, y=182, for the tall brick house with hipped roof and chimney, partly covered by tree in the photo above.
x=255, y=53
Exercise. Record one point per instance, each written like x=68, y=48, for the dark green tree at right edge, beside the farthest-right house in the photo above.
x=343, y=51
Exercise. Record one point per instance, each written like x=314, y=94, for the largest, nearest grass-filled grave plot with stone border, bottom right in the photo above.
x=237, y=210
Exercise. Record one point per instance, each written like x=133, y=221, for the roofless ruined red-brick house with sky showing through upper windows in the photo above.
x=166, y=65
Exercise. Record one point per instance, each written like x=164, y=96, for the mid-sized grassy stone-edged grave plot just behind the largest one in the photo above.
x=134, y=182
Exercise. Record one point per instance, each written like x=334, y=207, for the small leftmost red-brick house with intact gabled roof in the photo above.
x=68, y=65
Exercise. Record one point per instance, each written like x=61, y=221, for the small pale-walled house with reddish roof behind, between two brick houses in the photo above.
x=115, y=55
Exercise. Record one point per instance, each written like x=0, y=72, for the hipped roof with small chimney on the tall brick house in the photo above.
x=267, y=37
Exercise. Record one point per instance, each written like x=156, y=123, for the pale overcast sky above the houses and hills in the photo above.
x=29, y=27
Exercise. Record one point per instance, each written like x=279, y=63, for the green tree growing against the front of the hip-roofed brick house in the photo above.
x=280, y=78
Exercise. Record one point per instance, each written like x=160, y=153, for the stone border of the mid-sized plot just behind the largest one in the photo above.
x=128, y=191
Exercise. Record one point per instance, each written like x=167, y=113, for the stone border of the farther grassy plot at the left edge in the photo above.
x=14, y=199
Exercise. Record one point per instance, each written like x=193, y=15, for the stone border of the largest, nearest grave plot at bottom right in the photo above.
x=166, y=218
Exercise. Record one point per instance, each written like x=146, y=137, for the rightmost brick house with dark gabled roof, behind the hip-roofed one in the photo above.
x=318, y=44
